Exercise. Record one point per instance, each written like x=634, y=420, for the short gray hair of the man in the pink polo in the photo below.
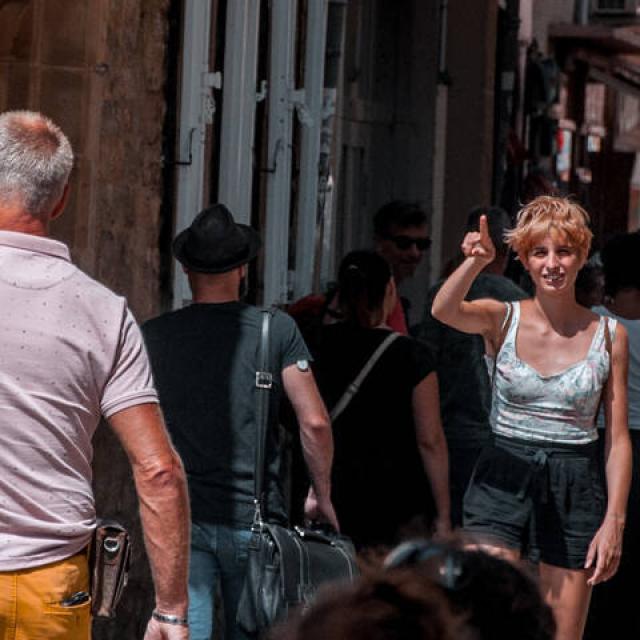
x=35, y=161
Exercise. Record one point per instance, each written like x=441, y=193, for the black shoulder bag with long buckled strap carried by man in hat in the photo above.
x=286, y=566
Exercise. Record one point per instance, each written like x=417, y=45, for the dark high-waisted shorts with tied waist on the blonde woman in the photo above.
x=544, y=499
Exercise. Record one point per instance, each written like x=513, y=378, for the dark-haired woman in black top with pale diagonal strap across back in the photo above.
x=389, y=443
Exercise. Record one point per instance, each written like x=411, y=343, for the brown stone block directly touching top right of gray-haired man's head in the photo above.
x=62, y=95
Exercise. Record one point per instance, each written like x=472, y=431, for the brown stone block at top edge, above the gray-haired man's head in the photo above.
x=63, y=33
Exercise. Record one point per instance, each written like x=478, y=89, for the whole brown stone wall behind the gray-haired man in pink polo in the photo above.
x=97, y=68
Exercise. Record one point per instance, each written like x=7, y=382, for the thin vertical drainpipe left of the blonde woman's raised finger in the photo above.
x=440, y=148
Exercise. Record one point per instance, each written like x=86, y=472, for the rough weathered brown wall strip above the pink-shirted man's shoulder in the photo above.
x=128, y=181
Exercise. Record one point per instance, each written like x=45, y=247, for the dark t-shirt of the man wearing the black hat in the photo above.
x=204, y=361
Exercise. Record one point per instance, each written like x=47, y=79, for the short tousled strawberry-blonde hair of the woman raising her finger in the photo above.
x=546, y=213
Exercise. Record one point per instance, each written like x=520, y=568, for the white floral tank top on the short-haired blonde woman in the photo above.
x=560, y=407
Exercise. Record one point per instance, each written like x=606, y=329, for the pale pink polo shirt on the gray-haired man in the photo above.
x=70, y=352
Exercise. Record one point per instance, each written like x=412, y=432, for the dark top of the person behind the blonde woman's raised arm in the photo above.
x=465, y=390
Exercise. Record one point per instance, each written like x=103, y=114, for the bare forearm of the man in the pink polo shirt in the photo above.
x=164, y=512
